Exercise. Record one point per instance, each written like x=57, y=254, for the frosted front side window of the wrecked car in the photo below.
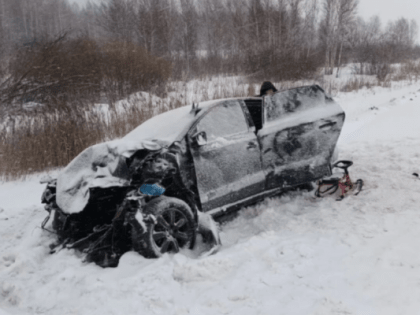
x=223, y=120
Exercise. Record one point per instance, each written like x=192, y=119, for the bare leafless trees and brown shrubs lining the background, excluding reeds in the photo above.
x=111, y=46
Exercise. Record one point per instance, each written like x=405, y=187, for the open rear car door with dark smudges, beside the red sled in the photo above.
x=299, y=134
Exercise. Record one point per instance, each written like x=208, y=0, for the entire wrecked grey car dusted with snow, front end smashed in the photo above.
x=168, y=180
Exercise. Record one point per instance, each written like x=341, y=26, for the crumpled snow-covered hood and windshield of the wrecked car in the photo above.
x=104, y=165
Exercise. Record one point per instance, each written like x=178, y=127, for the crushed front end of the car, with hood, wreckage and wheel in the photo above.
x=127, y=194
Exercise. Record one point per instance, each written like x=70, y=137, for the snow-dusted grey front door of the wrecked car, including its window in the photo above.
x=226, y=154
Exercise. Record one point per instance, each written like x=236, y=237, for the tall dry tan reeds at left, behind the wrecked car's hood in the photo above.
x=47, y=141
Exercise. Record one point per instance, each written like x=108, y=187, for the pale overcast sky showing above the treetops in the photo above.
x=387, y=10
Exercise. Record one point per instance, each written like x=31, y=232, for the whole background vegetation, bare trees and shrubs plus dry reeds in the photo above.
x=62, y=60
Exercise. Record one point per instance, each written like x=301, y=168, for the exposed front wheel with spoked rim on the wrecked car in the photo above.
x=174, y=228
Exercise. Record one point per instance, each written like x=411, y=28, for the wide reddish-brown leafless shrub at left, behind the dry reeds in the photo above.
x=54, y=71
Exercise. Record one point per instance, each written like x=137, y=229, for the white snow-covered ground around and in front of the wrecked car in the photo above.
x=288, y=255
